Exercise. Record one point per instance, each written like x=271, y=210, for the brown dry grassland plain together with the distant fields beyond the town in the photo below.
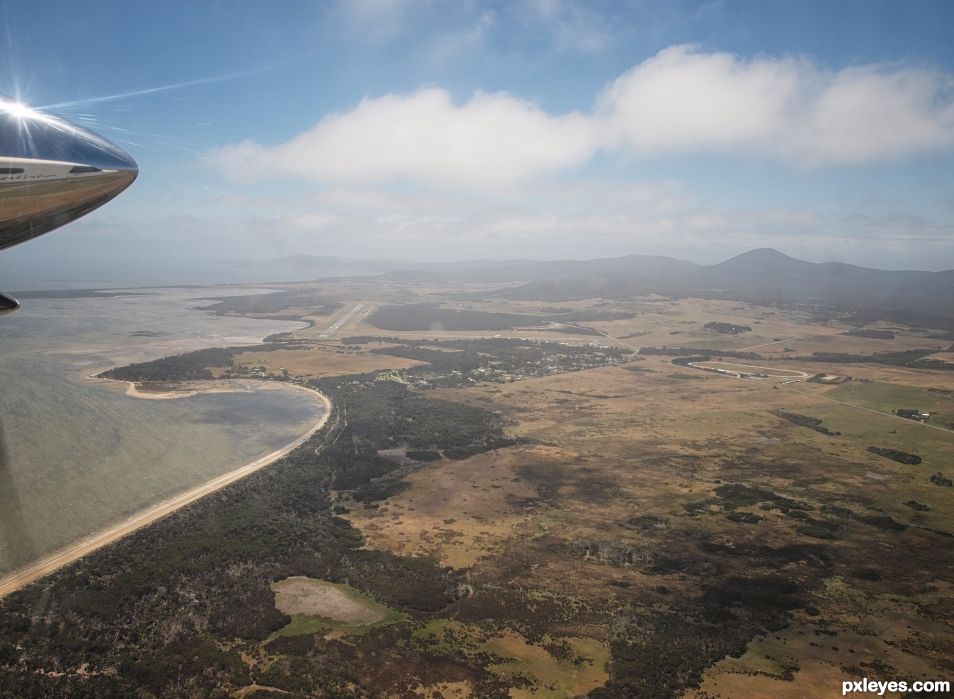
x=616, y=507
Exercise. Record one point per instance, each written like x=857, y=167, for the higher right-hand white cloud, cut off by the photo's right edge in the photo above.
x=787, y=108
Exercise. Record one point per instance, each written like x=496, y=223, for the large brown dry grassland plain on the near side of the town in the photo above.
x=621, y=445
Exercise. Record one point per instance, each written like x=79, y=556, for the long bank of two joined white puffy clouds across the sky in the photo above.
x=682, y=100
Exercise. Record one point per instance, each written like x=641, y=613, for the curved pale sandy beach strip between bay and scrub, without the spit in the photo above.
x=44, y=566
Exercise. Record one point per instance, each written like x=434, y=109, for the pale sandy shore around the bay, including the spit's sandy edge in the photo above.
x=23, y=576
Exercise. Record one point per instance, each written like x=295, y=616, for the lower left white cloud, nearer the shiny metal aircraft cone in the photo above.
x=490, y=141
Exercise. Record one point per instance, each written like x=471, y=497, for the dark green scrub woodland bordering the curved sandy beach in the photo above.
x=143, y=615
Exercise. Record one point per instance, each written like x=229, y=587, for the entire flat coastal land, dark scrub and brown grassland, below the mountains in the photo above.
x=539, y=518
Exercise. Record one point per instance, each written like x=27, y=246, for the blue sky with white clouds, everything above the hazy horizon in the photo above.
x=541, y=128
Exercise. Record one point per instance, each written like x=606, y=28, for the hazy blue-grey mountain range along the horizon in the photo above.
x=763, y=275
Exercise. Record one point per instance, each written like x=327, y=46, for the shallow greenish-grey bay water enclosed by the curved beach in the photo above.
x=77, y=454
